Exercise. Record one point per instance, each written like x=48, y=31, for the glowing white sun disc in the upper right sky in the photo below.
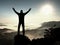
x=46, y=9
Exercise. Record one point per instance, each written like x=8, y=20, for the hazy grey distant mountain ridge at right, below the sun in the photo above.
x=50, y=24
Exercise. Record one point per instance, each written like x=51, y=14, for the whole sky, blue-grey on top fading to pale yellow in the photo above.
x=42, y=11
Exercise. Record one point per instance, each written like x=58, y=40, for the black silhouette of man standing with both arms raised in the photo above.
x=21, y=16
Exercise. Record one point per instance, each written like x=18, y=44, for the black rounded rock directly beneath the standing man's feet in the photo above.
x=21, y=40
